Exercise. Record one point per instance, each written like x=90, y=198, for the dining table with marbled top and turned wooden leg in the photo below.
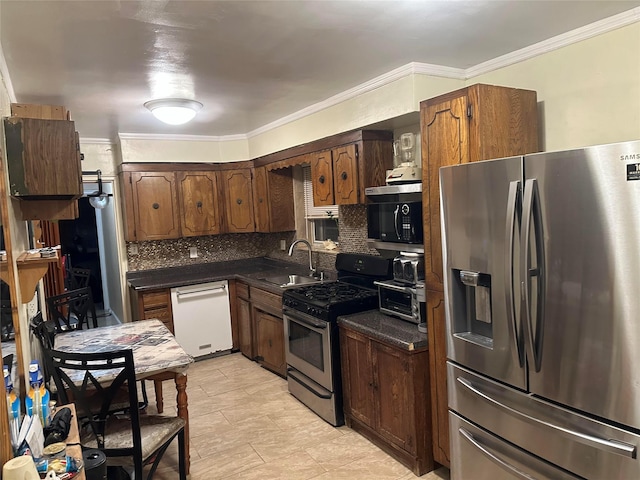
x=156, y=354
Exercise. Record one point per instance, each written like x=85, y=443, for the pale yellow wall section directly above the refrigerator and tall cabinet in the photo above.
x=588, y=92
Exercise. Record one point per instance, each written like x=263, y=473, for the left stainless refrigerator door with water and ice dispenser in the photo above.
x=480, y=205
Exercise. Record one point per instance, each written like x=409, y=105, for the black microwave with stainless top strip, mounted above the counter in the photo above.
x=394, y=214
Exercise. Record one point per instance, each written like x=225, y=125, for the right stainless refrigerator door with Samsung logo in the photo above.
x=581, y=278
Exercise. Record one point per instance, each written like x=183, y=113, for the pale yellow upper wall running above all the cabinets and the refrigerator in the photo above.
x=588, y=93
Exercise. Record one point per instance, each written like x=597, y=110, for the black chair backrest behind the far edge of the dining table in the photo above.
x=71, y=310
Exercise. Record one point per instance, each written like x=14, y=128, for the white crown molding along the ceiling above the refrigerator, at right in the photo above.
x=554, y=43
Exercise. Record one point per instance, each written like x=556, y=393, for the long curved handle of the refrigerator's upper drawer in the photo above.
x=607, y=445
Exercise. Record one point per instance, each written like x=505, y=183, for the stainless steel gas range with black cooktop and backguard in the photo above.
x=311, y=330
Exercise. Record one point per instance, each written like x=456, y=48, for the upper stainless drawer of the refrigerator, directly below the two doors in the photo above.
x=584, y=446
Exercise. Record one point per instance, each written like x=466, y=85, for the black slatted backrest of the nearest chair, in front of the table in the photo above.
x=80, y=378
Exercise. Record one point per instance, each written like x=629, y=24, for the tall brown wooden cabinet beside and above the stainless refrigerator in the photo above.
x=476, y=123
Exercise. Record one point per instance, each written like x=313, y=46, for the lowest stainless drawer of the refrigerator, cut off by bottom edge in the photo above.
x=478, y=454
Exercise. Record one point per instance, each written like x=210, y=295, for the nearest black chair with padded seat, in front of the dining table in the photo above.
x=130, y=441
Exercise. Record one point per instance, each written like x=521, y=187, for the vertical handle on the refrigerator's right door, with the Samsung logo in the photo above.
x=531, y=215
